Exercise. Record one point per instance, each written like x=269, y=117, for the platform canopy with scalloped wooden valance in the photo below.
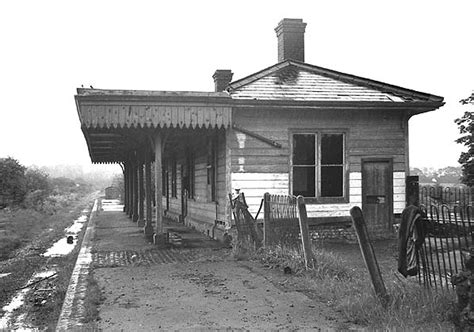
x=115, y=122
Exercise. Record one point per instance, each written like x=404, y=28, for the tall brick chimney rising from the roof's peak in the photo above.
x=290, y=34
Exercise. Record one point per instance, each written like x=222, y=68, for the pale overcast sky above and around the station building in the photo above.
x=49, y=48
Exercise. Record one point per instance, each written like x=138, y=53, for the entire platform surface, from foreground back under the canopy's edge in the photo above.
x=199, y=286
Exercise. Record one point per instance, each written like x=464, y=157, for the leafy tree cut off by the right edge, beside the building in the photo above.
x=466, y=128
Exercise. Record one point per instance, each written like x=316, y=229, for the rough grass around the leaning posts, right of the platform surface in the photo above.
x=349, y=291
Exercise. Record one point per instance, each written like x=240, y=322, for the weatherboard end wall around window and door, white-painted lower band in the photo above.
x=258, y=167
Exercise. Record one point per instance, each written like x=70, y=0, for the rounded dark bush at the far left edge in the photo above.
x=12, y=182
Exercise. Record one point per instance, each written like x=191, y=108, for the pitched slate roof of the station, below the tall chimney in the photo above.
x=296, y=81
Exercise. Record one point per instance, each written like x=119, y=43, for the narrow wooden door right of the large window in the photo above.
x=377, y=193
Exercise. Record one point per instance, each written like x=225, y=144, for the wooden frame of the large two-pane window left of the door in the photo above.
x=318, y=132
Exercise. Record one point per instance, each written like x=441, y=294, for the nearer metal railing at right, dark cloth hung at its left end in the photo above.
x=433, y=240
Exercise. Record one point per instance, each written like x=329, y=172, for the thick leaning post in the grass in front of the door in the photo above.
x=368, y=253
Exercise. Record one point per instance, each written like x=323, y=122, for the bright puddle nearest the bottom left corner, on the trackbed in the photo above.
x=17, y=301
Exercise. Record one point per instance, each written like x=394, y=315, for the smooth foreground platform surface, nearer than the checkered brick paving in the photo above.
x=205, y=295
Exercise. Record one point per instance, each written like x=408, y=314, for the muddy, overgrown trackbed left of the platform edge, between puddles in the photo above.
x=27, y=233
